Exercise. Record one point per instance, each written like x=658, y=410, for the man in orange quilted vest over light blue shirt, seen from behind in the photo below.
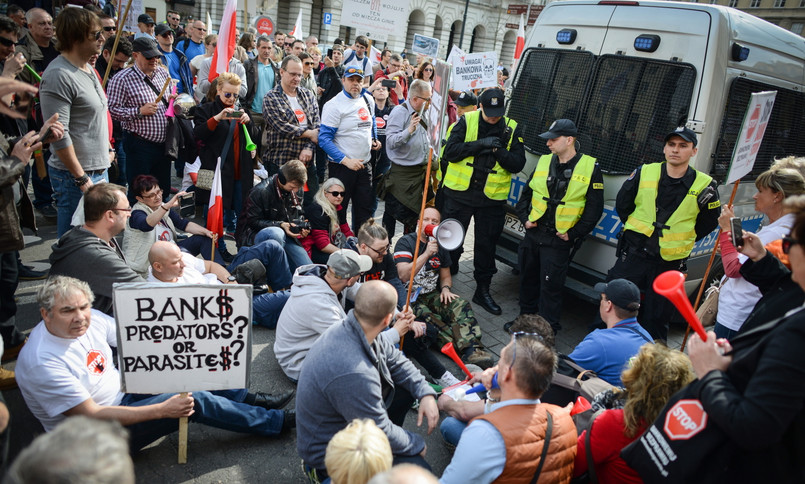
x=508, y=442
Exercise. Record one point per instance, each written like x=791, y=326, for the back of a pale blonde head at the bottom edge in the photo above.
x=358, y=452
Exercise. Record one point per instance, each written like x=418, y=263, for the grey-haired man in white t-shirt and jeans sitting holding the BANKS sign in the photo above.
x=67, y=368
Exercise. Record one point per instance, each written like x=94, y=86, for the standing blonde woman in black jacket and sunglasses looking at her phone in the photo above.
x=214, y=125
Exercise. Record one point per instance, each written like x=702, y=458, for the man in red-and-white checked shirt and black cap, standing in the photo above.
x=132, y=101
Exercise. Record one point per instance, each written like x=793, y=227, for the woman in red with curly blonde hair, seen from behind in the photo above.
x=653, y=376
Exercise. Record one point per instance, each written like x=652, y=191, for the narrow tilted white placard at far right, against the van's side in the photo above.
x=752, y=130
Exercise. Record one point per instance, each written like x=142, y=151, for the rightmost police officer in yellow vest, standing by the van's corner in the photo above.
x=665, y=208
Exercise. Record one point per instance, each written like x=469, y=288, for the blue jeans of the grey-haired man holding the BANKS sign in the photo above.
x=222, y=409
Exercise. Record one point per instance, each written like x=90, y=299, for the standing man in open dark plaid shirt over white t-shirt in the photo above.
x=291, y=115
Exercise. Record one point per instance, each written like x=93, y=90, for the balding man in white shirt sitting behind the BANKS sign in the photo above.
x=170, y=264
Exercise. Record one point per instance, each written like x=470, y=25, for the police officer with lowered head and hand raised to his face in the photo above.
x=483, y=150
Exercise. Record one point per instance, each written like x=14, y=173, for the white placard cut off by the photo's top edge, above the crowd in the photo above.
x=379, y=18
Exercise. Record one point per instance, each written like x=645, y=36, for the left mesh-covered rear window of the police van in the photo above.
x=551, y=85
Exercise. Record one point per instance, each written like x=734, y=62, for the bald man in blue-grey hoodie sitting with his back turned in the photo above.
x=351, y=373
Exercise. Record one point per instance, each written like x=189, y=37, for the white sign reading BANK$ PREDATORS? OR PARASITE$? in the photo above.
x=183, y=337
